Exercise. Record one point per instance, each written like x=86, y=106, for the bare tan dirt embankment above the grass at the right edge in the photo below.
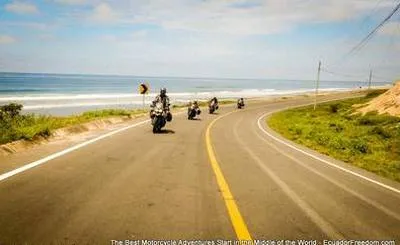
x=388, y=102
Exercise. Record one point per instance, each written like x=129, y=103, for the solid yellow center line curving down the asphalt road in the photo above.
x=238, y=223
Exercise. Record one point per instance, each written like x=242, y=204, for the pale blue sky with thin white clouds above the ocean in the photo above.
x=282, y=39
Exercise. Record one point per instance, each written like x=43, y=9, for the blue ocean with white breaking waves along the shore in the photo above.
x=60, y=94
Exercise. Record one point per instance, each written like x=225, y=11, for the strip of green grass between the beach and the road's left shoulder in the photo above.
x=31, y=126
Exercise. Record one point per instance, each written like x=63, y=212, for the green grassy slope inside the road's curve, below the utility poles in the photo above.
x=371, y=142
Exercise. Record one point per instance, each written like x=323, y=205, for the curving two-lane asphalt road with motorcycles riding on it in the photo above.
x=181, y=184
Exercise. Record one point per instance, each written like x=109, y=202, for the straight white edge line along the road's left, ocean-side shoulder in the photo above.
x=63, y=152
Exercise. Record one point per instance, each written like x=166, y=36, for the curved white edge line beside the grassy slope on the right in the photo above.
x=318, y=158
